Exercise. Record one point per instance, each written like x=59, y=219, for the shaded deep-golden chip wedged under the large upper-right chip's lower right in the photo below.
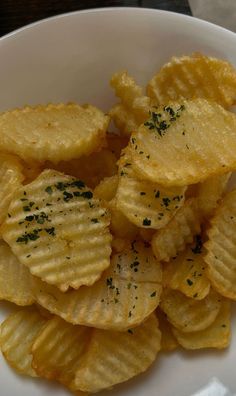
x=210, y=192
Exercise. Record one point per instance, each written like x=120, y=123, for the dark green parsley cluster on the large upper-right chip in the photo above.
x=159, y=125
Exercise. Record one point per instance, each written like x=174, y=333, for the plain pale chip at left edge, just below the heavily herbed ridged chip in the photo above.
x=15, y=278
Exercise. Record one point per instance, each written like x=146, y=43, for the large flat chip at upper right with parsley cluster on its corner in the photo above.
x=173, y=146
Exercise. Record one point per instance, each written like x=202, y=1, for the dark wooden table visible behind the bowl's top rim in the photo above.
x=17, y=13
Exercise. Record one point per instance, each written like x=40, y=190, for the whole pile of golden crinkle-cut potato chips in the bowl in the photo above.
x=119, y=245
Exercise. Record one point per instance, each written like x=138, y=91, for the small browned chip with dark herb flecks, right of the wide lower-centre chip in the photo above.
x=186, y=272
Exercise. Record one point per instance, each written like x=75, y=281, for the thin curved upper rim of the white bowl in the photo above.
x=168, y=14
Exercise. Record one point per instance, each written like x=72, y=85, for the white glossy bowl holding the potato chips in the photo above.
x=72, y=57
